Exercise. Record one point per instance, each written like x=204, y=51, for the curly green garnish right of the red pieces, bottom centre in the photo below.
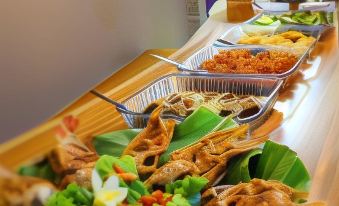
x=189, y=188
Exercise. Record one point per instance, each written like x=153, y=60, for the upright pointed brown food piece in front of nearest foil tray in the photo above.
x=151, y=142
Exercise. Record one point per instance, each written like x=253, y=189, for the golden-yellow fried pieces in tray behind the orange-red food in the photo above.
x=292, y=39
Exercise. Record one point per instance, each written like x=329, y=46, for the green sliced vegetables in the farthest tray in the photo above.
x=301, y=17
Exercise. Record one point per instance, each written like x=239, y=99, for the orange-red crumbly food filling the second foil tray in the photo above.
x=241, y=61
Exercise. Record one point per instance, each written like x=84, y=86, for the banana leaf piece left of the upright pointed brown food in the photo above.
x=114, y=143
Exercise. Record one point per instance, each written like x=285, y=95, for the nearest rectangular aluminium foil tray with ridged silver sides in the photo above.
x=267, y=89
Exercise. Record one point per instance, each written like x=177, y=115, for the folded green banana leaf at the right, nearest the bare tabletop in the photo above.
x=274, y=162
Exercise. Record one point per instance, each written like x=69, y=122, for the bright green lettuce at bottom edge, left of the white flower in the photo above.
x=73, y=195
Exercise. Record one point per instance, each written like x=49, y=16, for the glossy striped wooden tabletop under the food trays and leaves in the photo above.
x=309, y=102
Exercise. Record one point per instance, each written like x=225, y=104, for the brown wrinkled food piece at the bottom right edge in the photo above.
x=256, y=192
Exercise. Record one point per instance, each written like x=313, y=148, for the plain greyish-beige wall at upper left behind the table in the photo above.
x=51, y=51
